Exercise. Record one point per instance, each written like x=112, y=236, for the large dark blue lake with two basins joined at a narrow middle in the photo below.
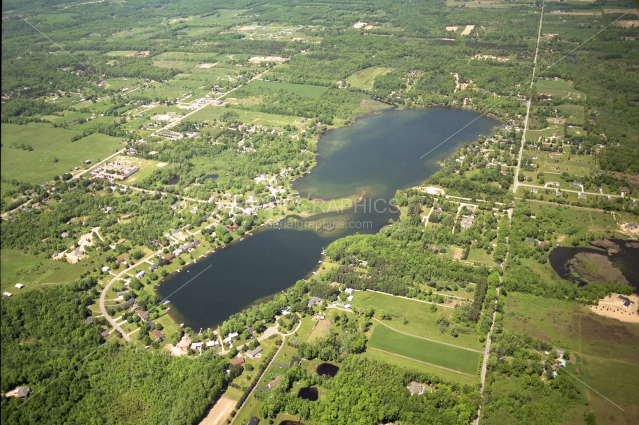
x=378, y=154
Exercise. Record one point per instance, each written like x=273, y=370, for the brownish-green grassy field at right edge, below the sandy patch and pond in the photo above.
x=606, y=350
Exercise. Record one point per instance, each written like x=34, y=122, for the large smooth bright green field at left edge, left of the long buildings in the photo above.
x=38, y=165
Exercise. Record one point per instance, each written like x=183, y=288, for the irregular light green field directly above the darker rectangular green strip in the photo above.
x=421, y=320
